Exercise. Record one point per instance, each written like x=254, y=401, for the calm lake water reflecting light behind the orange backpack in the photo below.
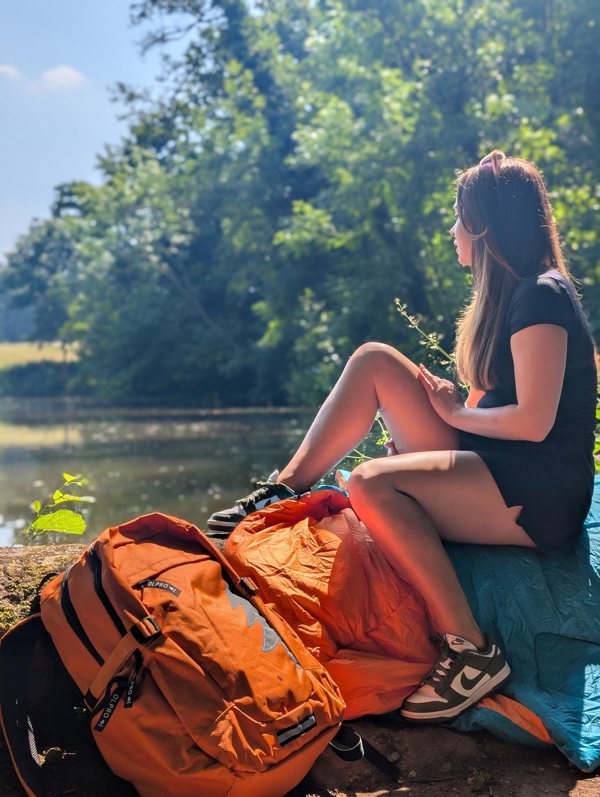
x=182, y=462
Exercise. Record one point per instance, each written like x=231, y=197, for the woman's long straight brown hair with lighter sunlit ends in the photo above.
x=504, y=207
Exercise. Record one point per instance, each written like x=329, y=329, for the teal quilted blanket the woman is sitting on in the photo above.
x=544, y=609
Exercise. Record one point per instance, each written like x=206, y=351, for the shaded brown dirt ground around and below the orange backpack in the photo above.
x=433, y=761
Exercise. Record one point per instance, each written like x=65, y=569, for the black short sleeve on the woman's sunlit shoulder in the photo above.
x=544, y=300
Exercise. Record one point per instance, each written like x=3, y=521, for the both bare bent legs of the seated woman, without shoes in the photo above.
x=412, y=501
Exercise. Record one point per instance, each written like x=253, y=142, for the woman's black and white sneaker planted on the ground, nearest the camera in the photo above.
x=463, y=676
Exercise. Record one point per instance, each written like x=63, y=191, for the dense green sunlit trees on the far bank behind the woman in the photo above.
x=295, y=177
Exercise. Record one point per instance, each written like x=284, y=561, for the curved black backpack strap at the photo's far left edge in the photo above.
x=16, y=648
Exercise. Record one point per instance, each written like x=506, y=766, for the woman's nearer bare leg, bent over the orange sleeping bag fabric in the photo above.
x=411, y=502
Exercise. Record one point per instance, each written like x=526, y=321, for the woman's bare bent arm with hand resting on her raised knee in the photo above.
x=539, y=355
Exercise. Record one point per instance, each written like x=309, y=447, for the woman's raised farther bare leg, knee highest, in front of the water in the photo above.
x=376, y=378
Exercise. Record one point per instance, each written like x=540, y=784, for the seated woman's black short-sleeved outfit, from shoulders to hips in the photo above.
x=552, y=480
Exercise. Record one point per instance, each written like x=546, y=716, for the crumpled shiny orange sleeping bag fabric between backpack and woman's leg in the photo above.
x=314, y=560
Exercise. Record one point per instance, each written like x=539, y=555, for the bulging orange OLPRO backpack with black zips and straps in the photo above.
x=193, y=685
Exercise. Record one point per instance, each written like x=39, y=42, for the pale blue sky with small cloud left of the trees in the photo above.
x=58, y=60
